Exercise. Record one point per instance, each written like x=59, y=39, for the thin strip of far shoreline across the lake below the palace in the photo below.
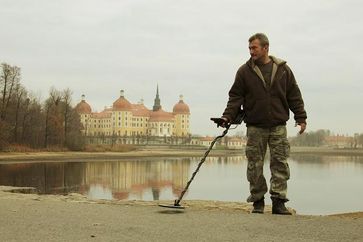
x=144, y=153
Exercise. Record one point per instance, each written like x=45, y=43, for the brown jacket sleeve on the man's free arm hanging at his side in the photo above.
x=294, y=98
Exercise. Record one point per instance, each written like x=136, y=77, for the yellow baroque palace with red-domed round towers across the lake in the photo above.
x=130, y=120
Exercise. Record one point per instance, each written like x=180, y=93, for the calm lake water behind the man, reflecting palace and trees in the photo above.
x=318, y=184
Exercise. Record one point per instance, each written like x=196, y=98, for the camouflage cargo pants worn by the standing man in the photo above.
x=257, y=141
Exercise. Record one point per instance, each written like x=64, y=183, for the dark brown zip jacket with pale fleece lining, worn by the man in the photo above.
x=265, y=107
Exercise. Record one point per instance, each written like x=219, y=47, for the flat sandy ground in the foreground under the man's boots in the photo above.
x=31, y=217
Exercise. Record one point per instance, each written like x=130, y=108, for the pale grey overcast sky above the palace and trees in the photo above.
x=191, y=47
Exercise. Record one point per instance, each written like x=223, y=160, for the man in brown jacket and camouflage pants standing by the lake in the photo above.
x=266, y=89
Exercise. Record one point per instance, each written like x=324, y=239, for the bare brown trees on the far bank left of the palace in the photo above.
x=25, y=120
